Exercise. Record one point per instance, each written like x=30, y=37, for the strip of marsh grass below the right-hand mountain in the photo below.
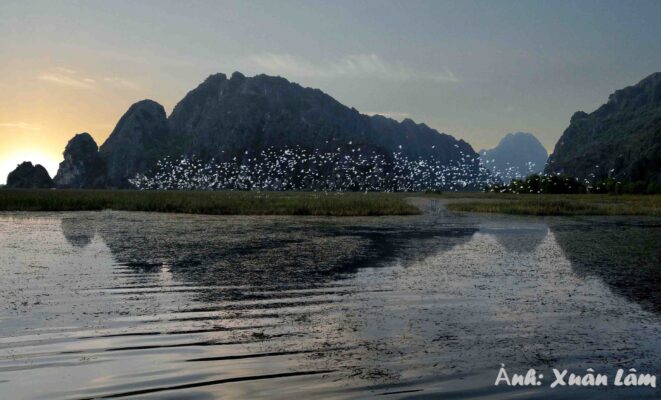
x=563, y=205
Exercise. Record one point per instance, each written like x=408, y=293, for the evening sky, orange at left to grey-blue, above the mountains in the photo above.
x=474, y=69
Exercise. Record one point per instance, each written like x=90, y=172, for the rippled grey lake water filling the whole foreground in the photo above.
x=117, y=304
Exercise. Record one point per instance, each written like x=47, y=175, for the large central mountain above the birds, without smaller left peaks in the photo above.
x=240, y=113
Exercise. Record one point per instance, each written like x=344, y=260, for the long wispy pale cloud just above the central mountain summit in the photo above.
x=357, y=65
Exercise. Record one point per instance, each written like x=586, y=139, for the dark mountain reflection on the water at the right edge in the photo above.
x=631, y=267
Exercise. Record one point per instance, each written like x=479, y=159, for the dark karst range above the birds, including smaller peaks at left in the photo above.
x=237, y=117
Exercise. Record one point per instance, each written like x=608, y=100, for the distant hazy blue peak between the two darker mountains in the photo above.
x=516, y=156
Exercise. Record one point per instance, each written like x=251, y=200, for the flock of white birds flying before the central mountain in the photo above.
x=352, y=169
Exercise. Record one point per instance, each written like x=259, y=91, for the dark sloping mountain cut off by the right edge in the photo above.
x=621, y=139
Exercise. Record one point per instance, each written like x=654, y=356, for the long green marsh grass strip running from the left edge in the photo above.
x=224, y=202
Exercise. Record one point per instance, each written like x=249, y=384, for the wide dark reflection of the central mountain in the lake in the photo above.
x=264, y=251
